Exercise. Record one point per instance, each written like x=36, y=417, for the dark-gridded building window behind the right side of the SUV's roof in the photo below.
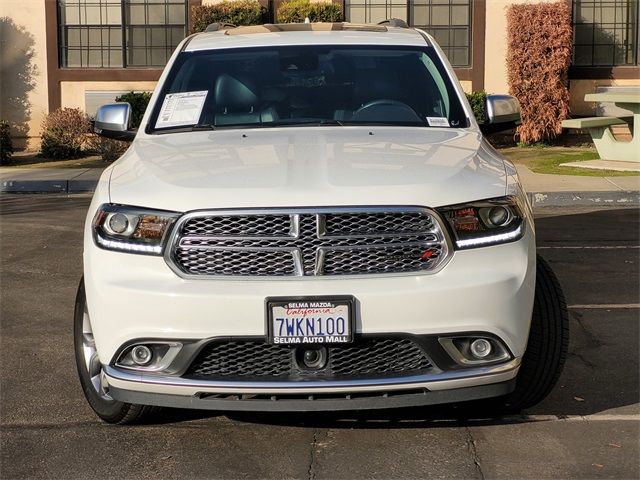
x=449, y=21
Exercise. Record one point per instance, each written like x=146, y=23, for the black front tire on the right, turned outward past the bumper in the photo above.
x=548, y=343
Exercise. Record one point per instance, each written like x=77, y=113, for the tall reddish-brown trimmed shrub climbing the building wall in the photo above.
x=539, y=41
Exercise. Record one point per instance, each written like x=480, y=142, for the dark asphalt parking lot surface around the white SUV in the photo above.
x=589, y=427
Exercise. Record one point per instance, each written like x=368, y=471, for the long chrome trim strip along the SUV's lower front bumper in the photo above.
x=431, y=381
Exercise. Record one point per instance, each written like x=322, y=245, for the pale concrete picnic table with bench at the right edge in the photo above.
x=599, y=127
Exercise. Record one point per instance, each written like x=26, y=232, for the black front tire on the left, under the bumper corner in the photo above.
x=108, y=409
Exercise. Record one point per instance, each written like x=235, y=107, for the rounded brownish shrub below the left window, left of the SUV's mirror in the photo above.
x=63, y=133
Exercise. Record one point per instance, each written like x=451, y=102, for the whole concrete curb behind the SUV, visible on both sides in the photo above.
x=628, y=198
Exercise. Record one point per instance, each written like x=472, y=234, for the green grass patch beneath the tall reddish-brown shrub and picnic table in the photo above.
x=548, y=159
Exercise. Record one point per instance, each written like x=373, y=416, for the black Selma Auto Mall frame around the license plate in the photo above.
x=313, y=303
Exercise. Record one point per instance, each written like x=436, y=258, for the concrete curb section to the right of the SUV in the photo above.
x=627, y=198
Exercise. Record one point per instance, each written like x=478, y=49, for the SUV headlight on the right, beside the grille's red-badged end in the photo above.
x=488, y=222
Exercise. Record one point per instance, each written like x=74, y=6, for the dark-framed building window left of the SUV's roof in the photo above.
x=120, y=33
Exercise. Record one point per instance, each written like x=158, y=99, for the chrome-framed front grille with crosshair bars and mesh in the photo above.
x=281, y=243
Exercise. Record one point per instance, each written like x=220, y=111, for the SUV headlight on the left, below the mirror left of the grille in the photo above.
x=131, y=229
